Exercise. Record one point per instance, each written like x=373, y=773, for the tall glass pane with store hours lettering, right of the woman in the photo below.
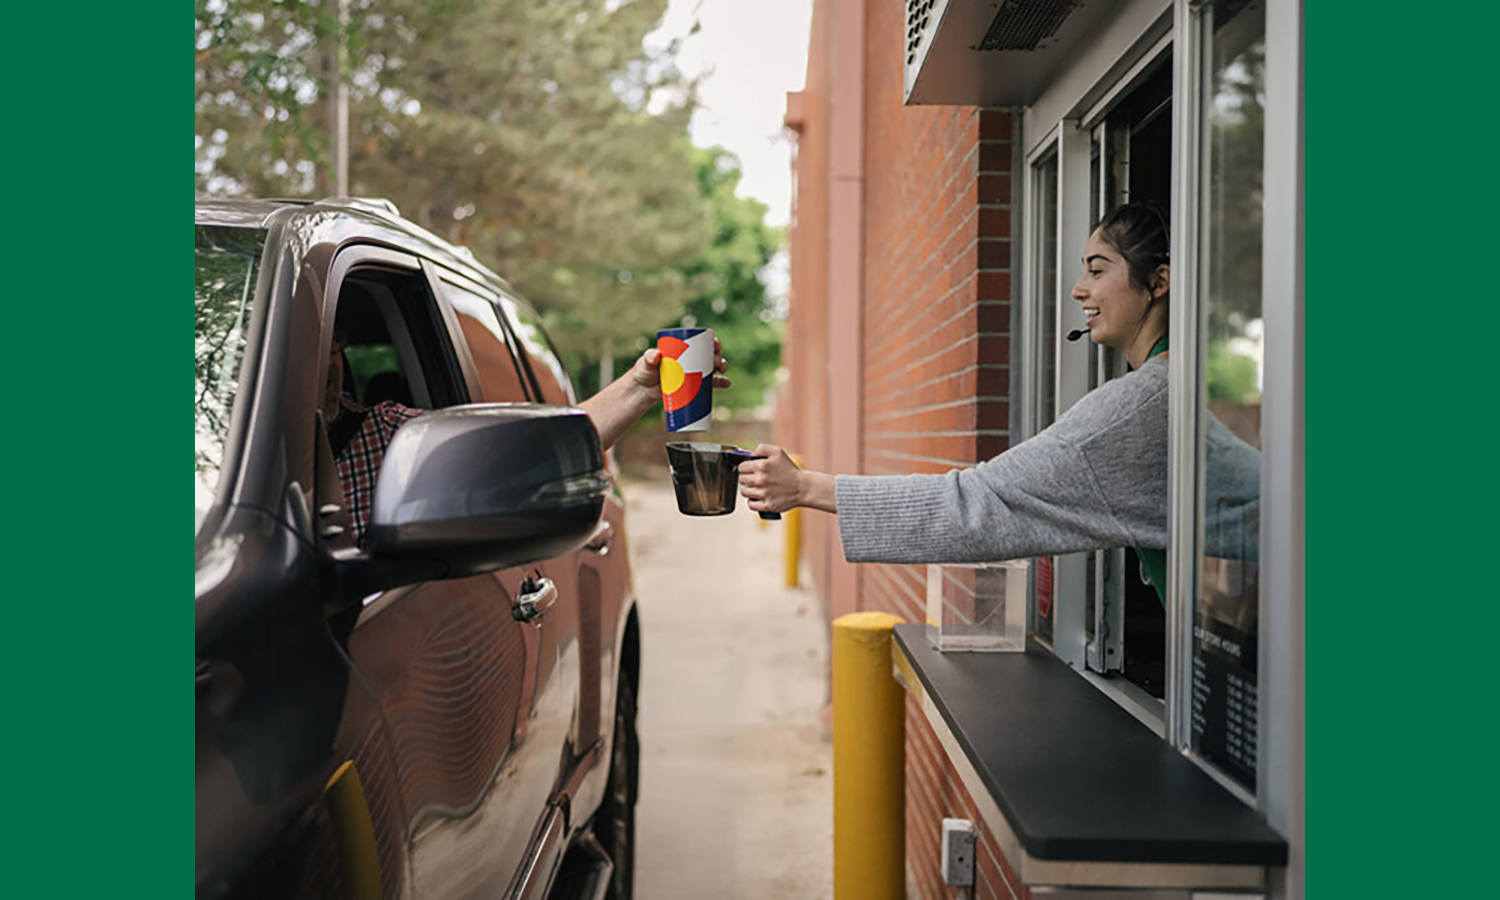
x=1226, y=616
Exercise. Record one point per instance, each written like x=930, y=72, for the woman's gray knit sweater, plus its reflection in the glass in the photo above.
x=1096, y=479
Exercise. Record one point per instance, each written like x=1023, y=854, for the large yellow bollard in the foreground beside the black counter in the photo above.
x=869, y=760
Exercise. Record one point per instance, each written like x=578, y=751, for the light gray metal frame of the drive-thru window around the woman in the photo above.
x=1076, y=103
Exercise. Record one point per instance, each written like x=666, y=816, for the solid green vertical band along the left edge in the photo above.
x=100, y=722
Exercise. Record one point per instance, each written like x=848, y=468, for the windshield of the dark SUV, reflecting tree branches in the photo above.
x=227, y=262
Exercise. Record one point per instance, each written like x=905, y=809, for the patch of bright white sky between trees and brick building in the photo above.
x=755, y=52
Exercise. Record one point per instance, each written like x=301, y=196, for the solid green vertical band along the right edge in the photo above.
x=1402, y=601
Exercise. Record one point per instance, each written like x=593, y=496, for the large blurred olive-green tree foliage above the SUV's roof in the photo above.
x=542, y=136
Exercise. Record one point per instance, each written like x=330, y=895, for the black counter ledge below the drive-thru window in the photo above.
x=1076, y=778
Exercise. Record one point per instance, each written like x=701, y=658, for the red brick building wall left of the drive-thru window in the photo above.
x=926, y=298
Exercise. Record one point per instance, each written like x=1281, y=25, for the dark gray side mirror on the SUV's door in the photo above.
x=488, y=487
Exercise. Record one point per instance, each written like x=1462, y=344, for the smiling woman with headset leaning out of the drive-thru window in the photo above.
x=1094, y=479
